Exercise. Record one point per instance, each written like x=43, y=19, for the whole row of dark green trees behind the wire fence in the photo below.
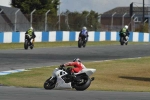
x=72, y=21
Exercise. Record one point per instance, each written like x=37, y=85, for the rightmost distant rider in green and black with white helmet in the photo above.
x=124, y=32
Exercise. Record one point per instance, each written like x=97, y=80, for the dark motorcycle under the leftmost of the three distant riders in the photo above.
x=27, y=42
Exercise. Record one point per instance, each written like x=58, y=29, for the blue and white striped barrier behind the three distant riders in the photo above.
x=52, y=36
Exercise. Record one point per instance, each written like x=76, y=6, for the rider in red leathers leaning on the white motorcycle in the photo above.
x=78, y=66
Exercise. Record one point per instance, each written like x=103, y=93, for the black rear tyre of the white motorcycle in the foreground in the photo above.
x=84, y=84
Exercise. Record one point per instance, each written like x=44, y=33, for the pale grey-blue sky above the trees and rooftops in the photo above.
x=99, y=6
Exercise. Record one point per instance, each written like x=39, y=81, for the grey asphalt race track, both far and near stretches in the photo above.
x=38, y=57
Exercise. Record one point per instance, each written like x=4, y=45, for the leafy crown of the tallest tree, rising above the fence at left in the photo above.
x=41, y=6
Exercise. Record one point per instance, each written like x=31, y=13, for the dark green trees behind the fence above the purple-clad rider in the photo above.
x=77, y=20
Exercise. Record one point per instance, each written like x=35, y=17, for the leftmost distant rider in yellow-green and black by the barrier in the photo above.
x=32, y=35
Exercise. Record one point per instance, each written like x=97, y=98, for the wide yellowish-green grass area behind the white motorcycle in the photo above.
x=116, y=75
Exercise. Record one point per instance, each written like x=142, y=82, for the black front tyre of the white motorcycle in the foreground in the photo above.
x=50, y=84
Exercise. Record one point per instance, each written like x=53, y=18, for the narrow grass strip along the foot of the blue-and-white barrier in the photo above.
x=59, y=44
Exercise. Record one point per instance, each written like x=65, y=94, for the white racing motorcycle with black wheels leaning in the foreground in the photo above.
x=60, y=79
